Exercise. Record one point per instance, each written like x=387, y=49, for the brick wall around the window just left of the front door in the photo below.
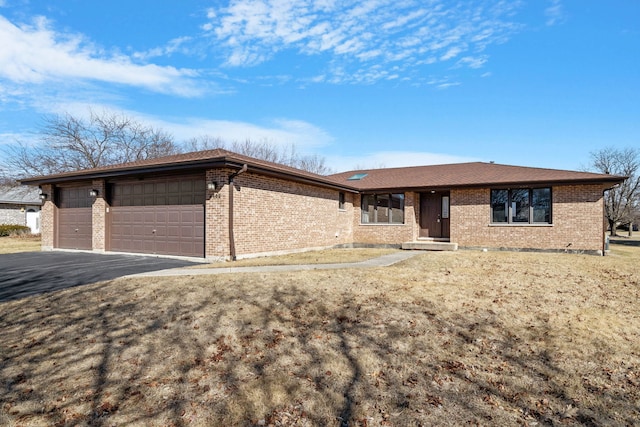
x=394, y=234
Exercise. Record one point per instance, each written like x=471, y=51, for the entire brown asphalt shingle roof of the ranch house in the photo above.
x=416, y=177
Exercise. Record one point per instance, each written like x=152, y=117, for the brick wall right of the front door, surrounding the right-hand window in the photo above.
x=577, y=213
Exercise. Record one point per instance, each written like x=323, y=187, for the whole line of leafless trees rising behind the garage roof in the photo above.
x=69, y=143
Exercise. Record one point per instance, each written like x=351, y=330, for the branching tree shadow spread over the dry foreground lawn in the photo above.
x=251, y=352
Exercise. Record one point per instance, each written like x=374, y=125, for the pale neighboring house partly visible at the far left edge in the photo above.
x=20, y=205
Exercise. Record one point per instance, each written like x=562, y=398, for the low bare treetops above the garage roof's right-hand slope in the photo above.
x=263, y=150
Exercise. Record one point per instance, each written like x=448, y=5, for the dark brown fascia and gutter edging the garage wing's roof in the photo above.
x=189, y=165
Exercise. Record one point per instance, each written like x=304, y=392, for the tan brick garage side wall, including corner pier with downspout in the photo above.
x=273, y=215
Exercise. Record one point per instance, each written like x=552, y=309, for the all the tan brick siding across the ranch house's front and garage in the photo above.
x=274, y=215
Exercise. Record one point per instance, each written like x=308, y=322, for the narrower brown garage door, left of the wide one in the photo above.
x=73, y=228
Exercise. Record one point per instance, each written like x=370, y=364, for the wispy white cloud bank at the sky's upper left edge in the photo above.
x=36, y=54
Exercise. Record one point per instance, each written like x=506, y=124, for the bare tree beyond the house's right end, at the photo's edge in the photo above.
x=621, y=202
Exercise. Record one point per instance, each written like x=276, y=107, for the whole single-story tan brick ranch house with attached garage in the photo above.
x=221, y=205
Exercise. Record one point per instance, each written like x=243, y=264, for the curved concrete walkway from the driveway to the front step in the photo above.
x=383, y=261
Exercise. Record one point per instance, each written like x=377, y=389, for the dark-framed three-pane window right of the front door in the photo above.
x=521, y=206
